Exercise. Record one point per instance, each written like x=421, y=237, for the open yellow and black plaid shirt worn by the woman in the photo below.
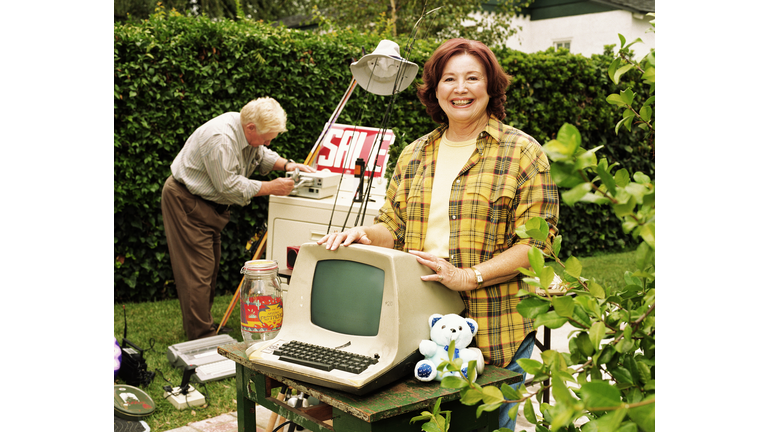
x=505, y=183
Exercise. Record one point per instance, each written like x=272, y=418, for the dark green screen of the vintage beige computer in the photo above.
x=347, y=297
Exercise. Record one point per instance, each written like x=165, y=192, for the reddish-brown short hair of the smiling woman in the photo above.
x=497, y=79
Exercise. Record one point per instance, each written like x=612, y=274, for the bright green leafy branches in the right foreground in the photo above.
x=606, y=381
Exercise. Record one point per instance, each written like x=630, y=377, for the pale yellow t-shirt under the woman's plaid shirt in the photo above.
x=451, y=158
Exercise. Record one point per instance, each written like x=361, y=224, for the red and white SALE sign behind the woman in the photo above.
x=343, y=144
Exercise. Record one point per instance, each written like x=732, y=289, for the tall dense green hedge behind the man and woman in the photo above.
x=173, y=73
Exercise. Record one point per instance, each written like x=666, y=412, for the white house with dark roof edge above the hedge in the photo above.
x=583, y=26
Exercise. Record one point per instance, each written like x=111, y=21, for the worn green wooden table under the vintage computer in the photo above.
x=387, y=409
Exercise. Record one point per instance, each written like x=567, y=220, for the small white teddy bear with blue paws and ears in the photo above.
x=444, y=329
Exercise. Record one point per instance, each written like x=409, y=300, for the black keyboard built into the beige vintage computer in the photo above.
x=323, y=358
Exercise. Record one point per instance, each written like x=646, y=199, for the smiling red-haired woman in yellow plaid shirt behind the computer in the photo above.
x=458, y=193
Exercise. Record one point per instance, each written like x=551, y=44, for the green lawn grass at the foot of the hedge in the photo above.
x=157, y=325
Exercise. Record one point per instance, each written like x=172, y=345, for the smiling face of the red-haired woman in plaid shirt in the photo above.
x=463, y=90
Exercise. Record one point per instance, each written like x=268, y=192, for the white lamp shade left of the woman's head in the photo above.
x=377, y=72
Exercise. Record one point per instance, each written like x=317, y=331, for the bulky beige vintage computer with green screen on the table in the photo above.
x=358, y=299
